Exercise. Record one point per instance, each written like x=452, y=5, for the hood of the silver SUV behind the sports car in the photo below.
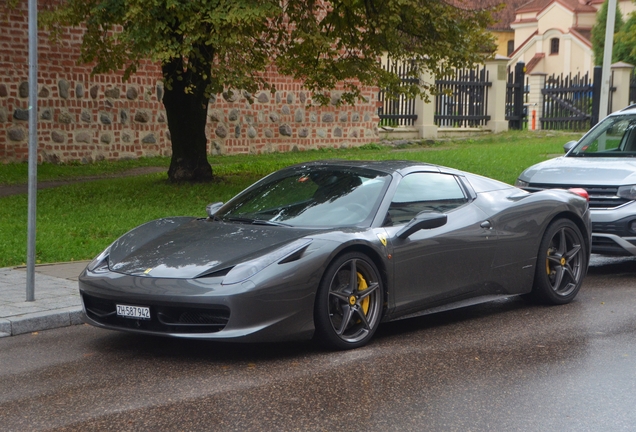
x=574, y=171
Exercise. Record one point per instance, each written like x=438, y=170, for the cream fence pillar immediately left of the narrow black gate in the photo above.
x=497, y=94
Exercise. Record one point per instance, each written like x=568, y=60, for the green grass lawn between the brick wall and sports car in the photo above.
x=77, y=221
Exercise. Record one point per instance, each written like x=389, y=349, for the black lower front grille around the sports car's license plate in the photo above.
x=164, y=318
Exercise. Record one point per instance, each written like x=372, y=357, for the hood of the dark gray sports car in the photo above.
x=188, y=247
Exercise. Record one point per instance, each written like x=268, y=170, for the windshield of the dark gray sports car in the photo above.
x=310, y=196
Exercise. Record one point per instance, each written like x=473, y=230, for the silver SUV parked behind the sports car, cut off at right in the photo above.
x=603, y=163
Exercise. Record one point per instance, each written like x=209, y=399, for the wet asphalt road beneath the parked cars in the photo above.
x=502, y=366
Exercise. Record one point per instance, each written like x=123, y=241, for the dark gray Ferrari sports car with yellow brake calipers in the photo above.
x=331, y=249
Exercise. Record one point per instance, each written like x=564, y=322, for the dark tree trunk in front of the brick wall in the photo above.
x=186, y=104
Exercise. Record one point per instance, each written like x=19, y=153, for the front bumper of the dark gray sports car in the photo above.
x=199, y=308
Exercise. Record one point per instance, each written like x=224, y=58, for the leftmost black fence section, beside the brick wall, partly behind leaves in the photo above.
x=399, y=111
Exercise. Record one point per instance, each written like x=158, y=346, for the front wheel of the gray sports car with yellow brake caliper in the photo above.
x=349, y=302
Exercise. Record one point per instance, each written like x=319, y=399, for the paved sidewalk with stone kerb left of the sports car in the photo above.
x=57, y=301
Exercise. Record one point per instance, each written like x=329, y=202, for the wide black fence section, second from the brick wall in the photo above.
x=462, y=98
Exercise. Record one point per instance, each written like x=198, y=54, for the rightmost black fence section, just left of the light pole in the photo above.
x=567, y=102
